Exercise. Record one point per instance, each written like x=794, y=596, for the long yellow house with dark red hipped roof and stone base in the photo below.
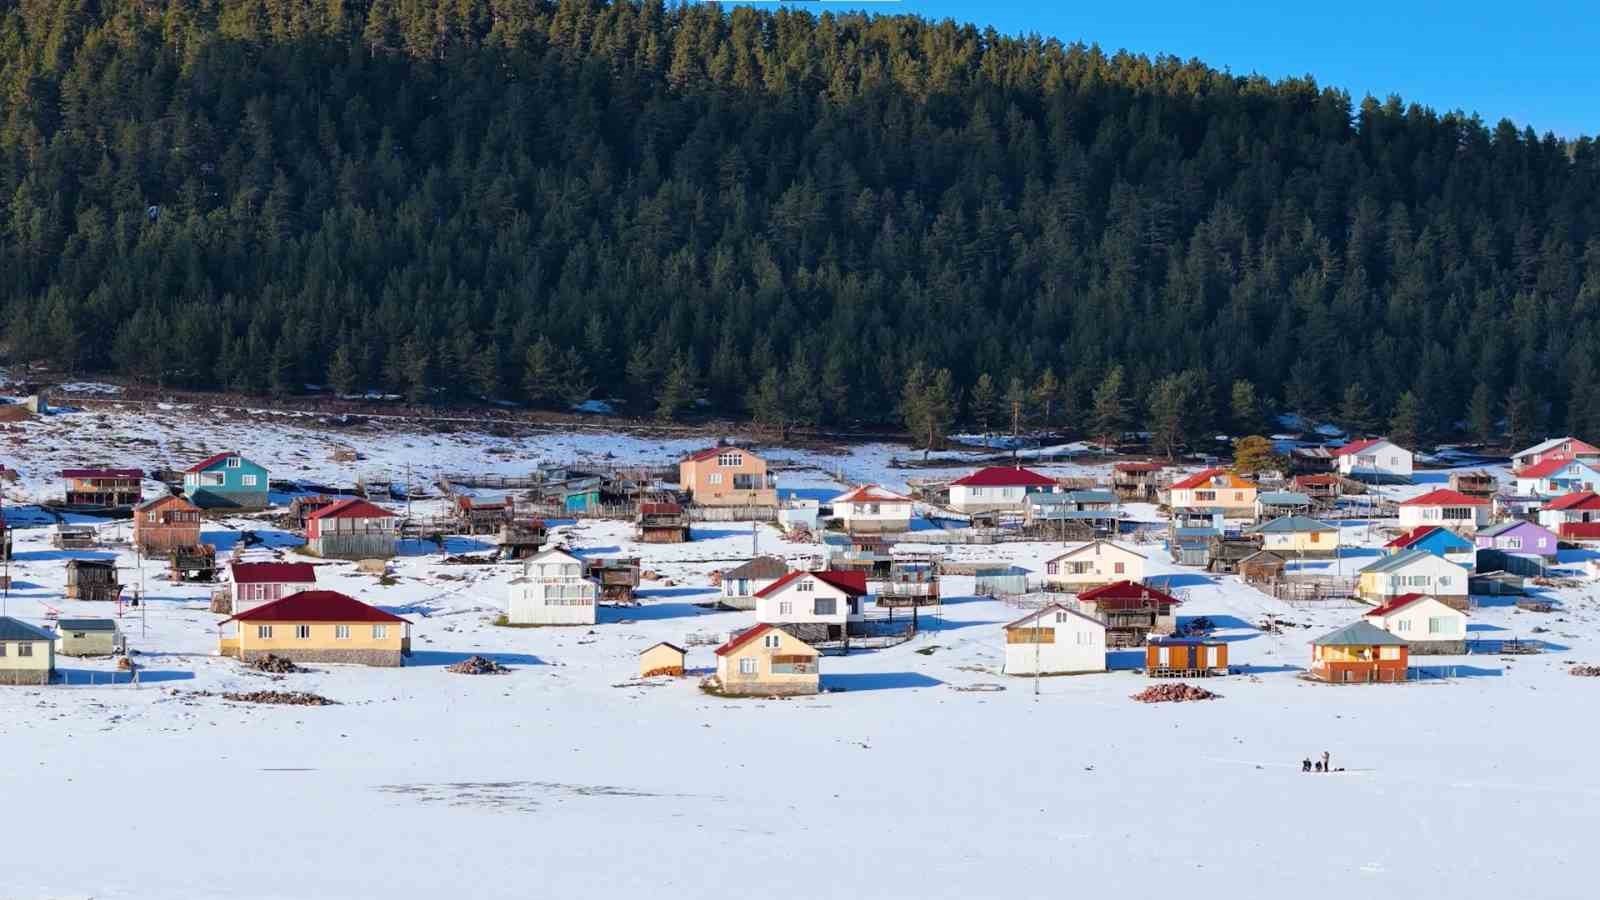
x=319, y=627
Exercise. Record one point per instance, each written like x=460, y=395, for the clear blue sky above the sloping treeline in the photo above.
x=1537, y=63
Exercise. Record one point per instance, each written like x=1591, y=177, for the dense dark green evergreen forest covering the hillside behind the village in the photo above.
x=772, y=214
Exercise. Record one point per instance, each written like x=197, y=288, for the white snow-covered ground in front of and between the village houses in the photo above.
x=572, y=779
